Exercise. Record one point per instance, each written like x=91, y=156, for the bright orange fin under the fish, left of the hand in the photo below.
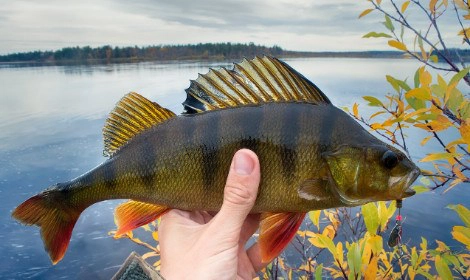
x=133, y=214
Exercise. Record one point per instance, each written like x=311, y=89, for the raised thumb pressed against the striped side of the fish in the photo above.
x=240, y=191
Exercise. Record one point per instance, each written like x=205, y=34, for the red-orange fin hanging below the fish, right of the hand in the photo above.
x=276, y=231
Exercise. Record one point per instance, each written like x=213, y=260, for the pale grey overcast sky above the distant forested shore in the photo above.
x=309, y=25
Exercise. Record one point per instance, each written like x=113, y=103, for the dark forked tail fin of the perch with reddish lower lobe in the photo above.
x=56, y=219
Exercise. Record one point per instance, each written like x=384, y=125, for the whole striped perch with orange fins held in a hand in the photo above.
x=312, y=155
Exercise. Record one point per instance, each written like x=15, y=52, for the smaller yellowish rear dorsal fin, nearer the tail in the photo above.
x=132, y=115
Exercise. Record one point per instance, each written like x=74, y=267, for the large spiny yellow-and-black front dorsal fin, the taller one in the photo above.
x=256, y=81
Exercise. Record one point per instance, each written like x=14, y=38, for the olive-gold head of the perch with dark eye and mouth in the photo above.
x=362, y=174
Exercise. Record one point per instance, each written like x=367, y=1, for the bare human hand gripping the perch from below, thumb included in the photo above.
x=198, y=245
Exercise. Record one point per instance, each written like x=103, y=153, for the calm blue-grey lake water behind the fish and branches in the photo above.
x=50, y=131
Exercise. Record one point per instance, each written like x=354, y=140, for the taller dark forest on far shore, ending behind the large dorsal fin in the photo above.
x=161, y=52
